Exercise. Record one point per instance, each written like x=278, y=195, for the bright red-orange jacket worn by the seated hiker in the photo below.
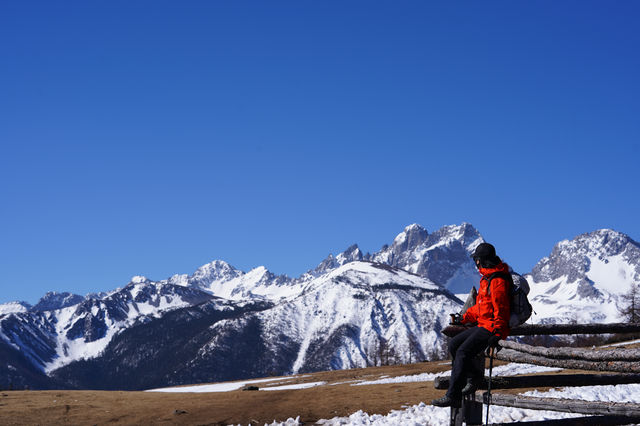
x=491, y=311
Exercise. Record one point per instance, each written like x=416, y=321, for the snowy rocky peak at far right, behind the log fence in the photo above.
x=582, y=279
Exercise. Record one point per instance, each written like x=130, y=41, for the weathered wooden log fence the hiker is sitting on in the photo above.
x=624, y=362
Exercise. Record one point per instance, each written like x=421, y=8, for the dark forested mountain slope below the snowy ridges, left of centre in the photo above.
x=165, y=350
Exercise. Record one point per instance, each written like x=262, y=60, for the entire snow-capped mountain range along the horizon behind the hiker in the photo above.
x=352, y=310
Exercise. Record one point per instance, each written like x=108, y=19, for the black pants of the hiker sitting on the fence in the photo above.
x=464, y=348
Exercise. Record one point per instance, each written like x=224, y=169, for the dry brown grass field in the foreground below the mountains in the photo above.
x=335, y=398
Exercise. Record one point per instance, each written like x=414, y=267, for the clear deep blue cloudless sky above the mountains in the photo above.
x=149, y=138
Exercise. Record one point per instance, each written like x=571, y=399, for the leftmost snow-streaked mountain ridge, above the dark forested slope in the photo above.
x=53, y=338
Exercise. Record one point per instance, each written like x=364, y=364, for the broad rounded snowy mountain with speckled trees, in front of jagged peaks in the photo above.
x=343, y=317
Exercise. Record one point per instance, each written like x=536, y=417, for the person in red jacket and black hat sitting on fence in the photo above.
x=490, y=315
